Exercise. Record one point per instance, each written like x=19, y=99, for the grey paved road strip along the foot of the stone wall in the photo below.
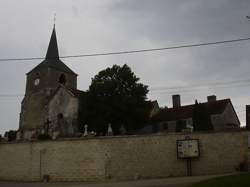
x=167, y=182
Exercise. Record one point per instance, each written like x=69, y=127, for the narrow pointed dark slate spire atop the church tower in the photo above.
x=52, y=52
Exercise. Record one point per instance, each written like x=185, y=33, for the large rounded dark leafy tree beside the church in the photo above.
x=115, y=96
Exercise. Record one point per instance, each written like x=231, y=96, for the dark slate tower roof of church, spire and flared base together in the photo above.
x=52, y=59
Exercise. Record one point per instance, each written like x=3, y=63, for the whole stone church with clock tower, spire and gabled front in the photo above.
x=51, y=102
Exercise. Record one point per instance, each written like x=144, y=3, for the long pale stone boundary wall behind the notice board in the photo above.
x=115, y=158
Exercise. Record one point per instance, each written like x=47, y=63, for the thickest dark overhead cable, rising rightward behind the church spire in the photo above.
x=134, y=51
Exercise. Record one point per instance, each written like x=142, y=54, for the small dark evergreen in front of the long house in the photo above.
x=201, y=118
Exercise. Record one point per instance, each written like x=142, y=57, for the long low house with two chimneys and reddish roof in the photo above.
x=221, y=115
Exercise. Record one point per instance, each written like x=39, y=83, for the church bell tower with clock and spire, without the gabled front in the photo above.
x=41, y=83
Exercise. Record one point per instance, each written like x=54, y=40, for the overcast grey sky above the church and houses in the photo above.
x=97, y=26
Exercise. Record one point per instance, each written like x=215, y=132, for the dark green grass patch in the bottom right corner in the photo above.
x=241, y=180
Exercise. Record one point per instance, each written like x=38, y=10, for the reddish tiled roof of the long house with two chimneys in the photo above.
x=184, y=112
